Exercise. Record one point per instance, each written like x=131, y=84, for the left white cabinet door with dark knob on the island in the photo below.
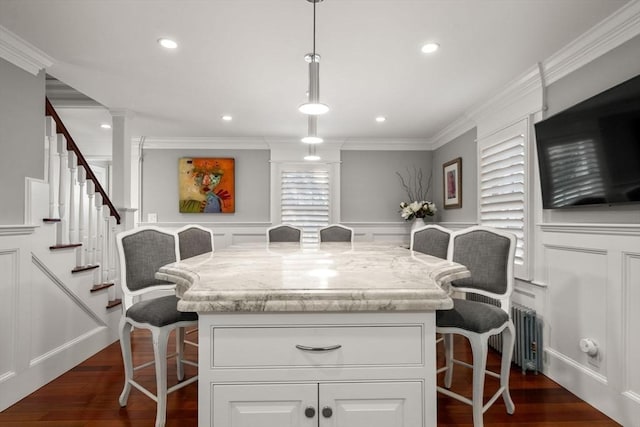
x=265, y=405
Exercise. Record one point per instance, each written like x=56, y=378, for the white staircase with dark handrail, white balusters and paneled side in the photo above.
x=60, y=269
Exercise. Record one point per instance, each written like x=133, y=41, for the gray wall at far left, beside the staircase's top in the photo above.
x=21, y=137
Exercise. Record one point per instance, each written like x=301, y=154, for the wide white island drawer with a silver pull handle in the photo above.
x=345, y=346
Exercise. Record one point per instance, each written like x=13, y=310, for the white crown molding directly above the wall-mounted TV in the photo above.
x=611, y=32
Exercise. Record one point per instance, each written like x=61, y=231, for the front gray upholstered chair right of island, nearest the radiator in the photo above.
x=488, y=253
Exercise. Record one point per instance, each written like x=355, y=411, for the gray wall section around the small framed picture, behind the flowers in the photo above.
x=463, y=146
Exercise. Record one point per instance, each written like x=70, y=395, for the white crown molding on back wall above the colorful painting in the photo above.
x=204, y=143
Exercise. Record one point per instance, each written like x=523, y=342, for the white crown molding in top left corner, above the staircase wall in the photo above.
x=21, y=53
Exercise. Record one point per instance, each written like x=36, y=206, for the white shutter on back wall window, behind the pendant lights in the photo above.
x=305, y=201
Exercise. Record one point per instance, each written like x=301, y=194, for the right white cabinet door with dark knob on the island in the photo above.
x=384, y=404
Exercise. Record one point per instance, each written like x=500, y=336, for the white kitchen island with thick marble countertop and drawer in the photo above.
x=334, y=334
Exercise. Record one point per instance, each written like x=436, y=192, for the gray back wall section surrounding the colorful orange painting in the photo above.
x=160, y=186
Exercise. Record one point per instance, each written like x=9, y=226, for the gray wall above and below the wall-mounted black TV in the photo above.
x=603, y=73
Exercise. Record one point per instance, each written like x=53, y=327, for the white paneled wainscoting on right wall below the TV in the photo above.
x=591, y=277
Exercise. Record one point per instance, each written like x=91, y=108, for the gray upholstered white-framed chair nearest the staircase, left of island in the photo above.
x=142, y=251
